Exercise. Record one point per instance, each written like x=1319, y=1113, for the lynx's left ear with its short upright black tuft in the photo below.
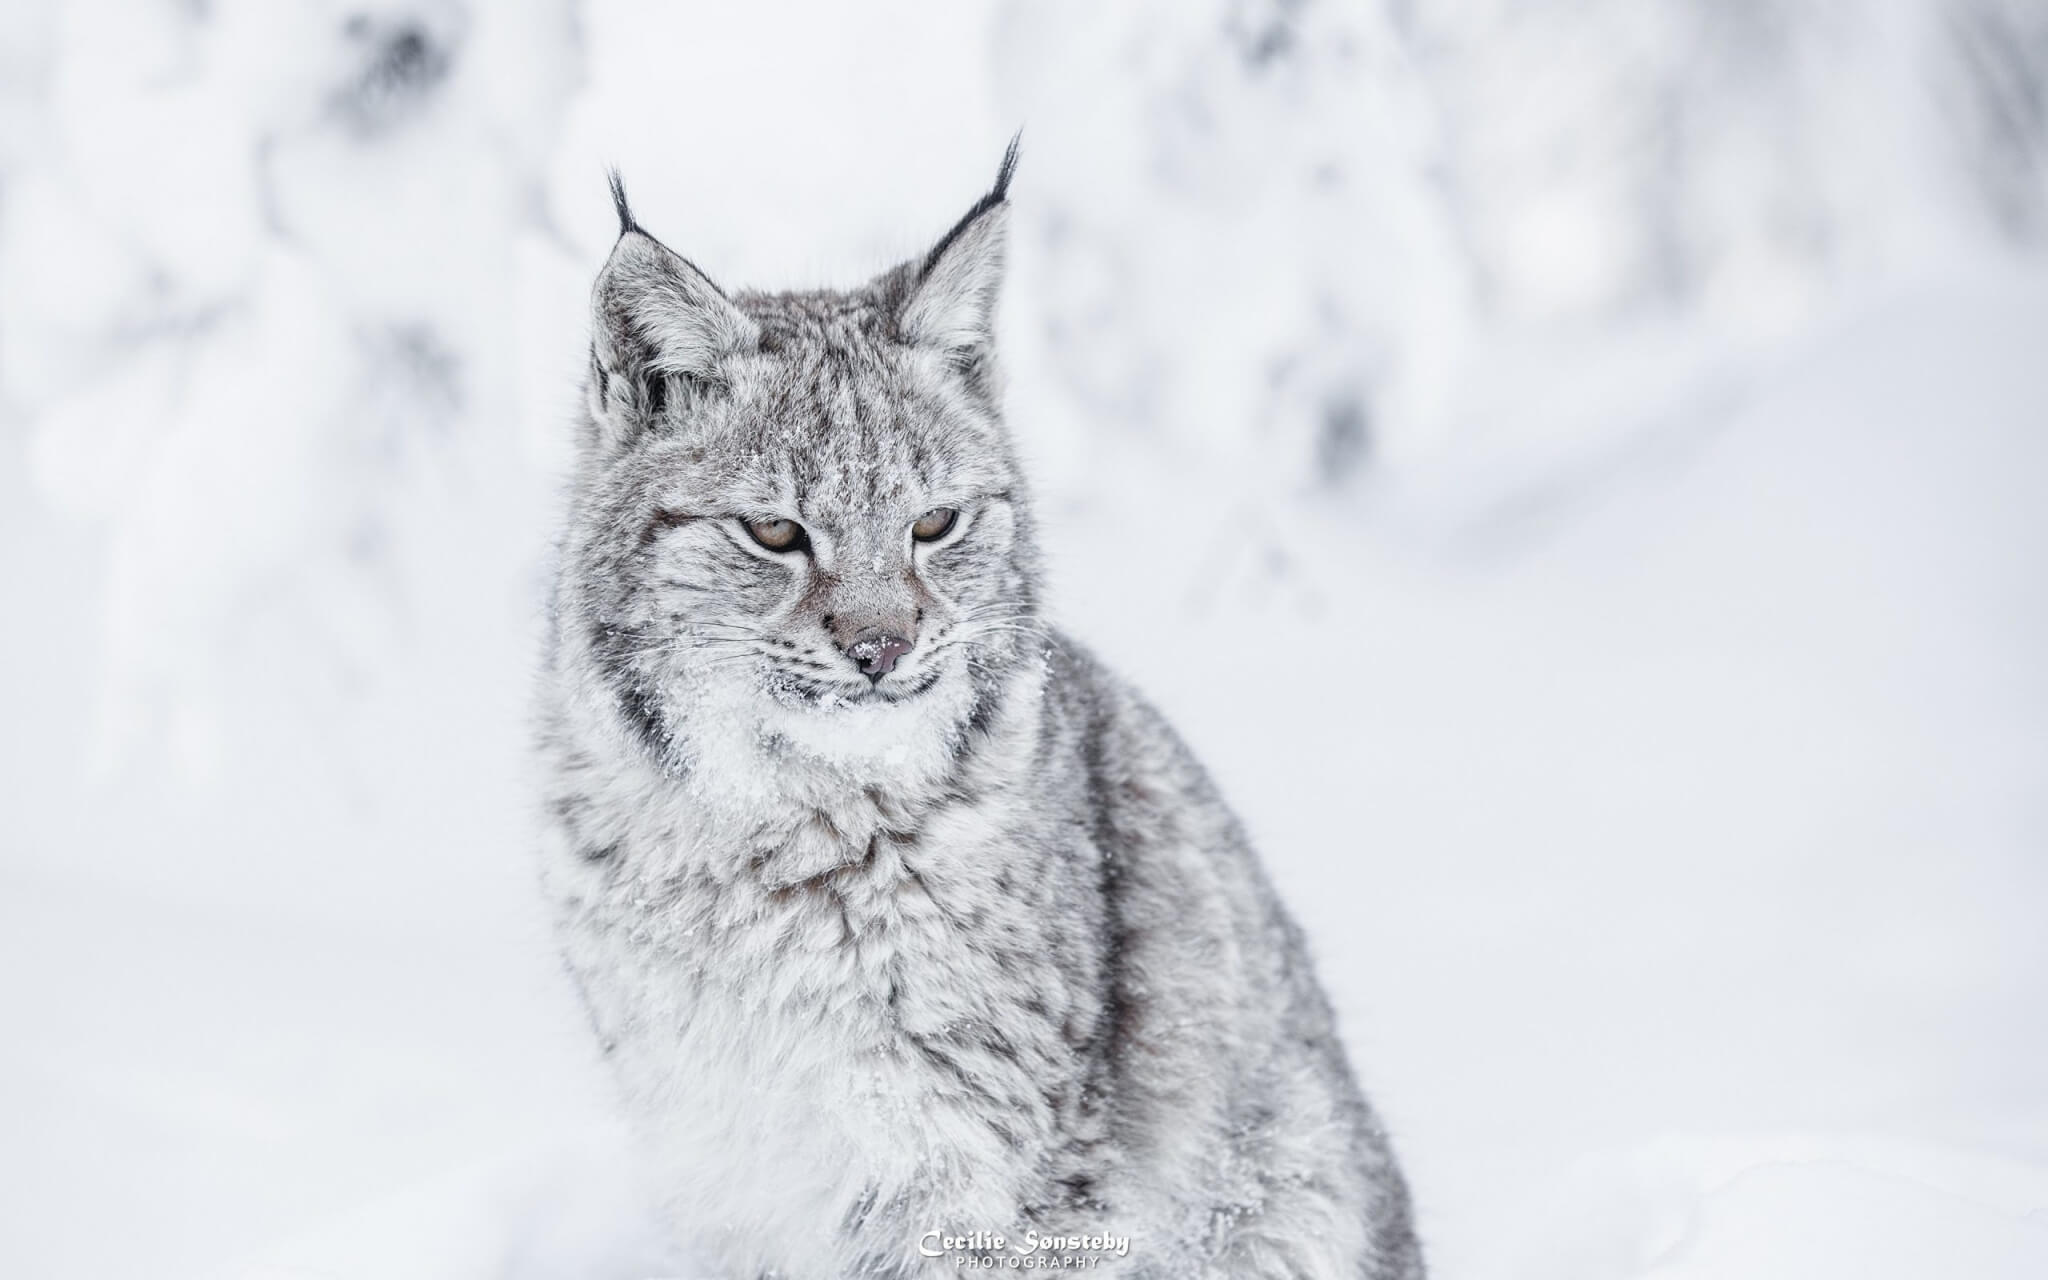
x=658, y=327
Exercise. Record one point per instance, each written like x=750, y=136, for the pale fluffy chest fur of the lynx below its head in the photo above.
x=841, y=1015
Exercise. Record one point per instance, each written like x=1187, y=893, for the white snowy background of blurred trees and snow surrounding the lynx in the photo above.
x=1578, y=474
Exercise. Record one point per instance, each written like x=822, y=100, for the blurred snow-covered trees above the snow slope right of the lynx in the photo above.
x=1310, y=234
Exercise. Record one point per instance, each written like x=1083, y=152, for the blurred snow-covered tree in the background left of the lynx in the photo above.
x=255, y=267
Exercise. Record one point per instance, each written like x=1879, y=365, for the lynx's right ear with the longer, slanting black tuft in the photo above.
x=951, y=302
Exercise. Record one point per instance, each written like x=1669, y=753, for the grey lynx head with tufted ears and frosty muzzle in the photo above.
x=798, y=513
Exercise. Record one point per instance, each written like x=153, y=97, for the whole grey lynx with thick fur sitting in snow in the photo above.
x=892, y=906
